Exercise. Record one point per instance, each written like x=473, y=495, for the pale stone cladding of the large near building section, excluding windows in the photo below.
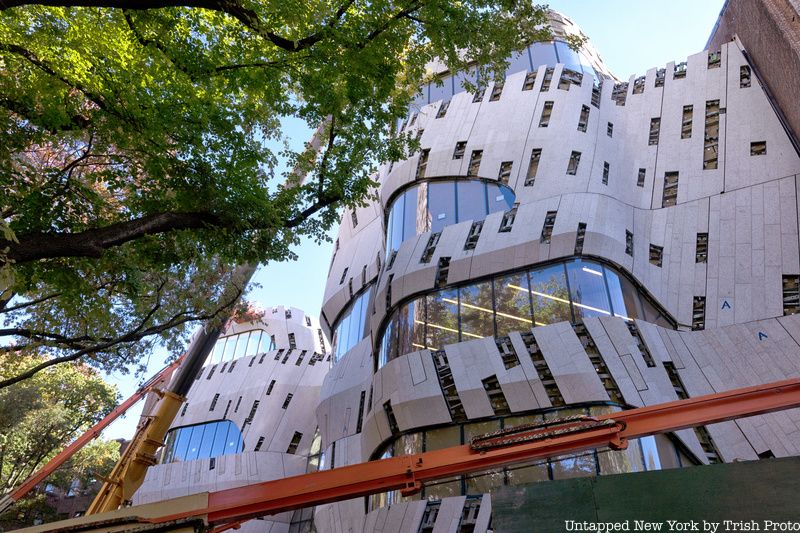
x=748, y=206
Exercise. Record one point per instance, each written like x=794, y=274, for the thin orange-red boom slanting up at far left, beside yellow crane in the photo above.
x=53, y=464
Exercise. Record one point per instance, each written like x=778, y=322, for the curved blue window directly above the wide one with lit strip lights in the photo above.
x=430, y=206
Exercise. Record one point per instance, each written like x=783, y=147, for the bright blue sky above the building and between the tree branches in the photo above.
x=630, y=35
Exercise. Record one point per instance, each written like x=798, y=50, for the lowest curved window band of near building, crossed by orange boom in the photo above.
x=640, y=455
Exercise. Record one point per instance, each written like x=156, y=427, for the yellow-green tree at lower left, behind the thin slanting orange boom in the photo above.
x=41, y=415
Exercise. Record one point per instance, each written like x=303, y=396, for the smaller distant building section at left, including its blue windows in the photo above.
x=249, y=416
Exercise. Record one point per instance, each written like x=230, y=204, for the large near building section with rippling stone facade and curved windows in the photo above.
x=564, y=243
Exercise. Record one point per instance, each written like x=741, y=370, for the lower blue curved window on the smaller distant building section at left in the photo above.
x=202, y=441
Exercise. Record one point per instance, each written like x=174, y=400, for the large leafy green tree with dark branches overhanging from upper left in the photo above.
x=138, y=149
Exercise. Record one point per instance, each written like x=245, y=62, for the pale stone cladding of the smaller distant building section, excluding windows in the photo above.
x=248, y=381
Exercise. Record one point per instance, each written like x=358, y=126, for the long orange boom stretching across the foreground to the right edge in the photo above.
x=227, y=508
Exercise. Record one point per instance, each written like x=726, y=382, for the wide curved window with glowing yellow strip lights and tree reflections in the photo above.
x=567, y=291
